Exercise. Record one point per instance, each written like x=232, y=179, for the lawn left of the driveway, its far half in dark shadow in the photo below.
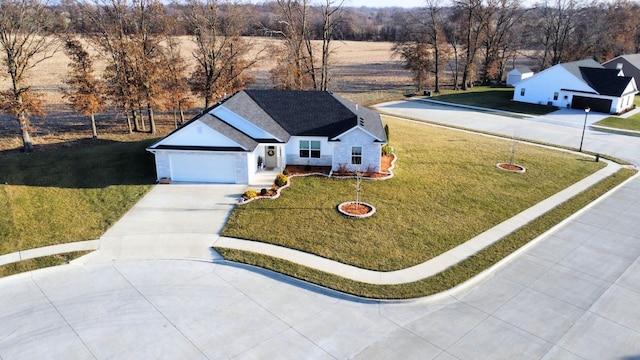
x=69, y=194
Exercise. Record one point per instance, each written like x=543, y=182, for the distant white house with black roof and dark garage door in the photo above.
x=579, y=85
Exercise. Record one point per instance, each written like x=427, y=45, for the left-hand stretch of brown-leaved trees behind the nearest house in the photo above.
x=145, y=70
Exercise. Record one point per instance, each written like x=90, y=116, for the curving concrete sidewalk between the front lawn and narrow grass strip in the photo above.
x=430, y=267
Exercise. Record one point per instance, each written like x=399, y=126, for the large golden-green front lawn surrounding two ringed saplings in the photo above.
x=447, y=190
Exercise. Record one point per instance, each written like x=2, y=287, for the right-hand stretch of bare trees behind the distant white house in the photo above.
x=476, y=41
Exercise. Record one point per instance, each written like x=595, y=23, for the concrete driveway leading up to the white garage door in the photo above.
x=178, y=221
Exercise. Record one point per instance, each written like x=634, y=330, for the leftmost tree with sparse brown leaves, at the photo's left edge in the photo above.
x=26, y=28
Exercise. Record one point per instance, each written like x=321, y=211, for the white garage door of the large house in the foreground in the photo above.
x=210, y=168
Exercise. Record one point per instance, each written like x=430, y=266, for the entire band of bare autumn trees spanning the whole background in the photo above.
x=470, y=41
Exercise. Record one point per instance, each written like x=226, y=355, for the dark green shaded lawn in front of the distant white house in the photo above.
x=493, y=98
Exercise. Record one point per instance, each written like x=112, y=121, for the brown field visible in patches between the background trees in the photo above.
x=357, y=67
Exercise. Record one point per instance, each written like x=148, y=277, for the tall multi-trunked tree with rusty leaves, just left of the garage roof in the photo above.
x=131, y=34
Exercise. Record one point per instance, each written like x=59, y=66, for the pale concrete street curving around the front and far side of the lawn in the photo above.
x=574, y=295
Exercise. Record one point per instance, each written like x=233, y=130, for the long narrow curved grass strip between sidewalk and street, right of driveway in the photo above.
x=449, y=278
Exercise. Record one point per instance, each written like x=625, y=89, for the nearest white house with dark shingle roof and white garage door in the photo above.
x=233, y=141
